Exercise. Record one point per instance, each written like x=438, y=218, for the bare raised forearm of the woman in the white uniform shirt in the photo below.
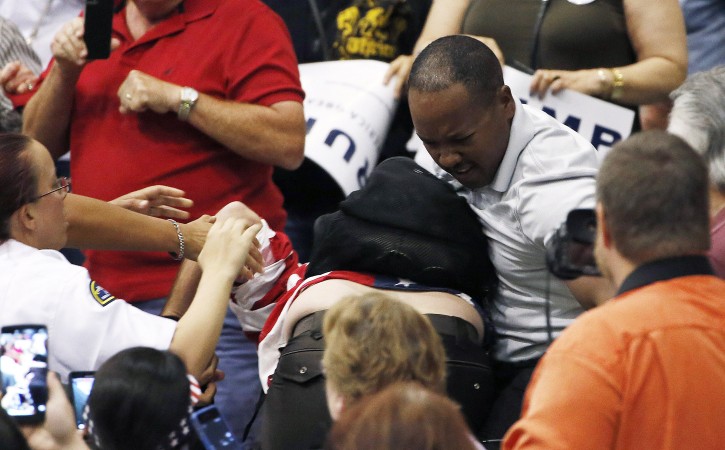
x=197, y=333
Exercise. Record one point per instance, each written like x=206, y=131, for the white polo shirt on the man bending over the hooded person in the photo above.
x=547, y=170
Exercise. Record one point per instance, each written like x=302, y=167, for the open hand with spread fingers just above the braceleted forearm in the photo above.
x=157, y=201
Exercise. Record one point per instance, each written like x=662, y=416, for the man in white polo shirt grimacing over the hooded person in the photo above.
x=522, y=172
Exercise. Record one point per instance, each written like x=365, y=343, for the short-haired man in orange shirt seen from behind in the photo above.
x=647, y=369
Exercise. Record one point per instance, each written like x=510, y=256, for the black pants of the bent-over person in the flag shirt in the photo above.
x=295, y=416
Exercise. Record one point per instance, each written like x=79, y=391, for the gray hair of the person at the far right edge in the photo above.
x=698, y=117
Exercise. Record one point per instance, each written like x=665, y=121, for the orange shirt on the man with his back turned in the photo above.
x=646, y=370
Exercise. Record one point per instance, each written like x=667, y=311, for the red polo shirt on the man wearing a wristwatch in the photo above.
x=231, y=49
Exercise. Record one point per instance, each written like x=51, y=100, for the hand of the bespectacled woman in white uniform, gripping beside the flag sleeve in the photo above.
x=227, y=246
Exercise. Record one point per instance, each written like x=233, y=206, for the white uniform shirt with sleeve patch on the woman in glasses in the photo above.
x=86, y=325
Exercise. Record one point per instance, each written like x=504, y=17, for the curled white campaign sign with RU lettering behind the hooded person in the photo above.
x=348, y=111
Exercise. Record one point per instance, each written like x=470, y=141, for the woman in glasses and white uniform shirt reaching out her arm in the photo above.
x=85, y=323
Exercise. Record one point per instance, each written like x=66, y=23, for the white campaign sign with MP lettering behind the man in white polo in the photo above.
x=602, y=123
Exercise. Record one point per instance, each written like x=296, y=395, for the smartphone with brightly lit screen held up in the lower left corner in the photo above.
x=25, y=371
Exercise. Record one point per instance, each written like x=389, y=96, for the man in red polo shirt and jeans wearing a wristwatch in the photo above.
x=202, y=95
